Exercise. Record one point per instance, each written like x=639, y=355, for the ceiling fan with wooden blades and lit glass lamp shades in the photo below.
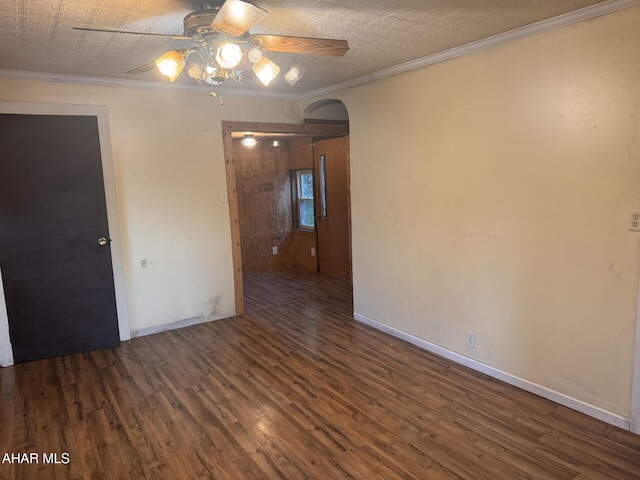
x=224, y=49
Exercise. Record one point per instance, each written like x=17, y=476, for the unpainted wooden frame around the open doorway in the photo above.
x=228, y=128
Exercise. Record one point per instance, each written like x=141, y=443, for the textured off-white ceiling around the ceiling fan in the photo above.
x=37, y=35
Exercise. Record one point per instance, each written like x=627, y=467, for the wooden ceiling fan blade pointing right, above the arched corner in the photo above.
x=309, y=46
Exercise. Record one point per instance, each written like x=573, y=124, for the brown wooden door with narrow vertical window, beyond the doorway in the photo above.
x=332, y=207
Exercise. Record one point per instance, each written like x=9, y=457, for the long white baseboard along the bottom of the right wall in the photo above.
x=560, y=398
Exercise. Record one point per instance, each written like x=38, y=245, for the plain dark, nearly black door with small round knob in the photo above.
x=58, y=279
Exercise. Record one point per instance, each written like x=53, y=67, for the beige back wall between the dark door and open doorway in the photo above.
x=169, y=168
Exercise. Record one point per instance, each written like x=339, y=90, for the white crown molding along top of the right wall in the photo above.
x=542, y=26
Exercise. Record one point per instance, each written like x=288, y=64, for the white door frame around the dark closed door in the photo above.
x=117, y=262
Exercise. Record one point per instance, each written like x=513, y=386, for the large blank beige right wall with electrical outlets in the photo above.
x=492, y=192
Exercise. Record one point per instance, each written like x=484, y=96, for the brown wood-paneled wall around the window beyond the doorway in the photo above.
x=263, y=183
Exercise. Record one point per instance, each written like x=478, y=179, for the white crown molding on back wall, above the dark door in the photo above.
x=125, y=83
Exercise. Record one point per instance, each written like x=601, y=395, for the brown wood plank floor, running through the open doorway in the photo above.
x=294, y=389
